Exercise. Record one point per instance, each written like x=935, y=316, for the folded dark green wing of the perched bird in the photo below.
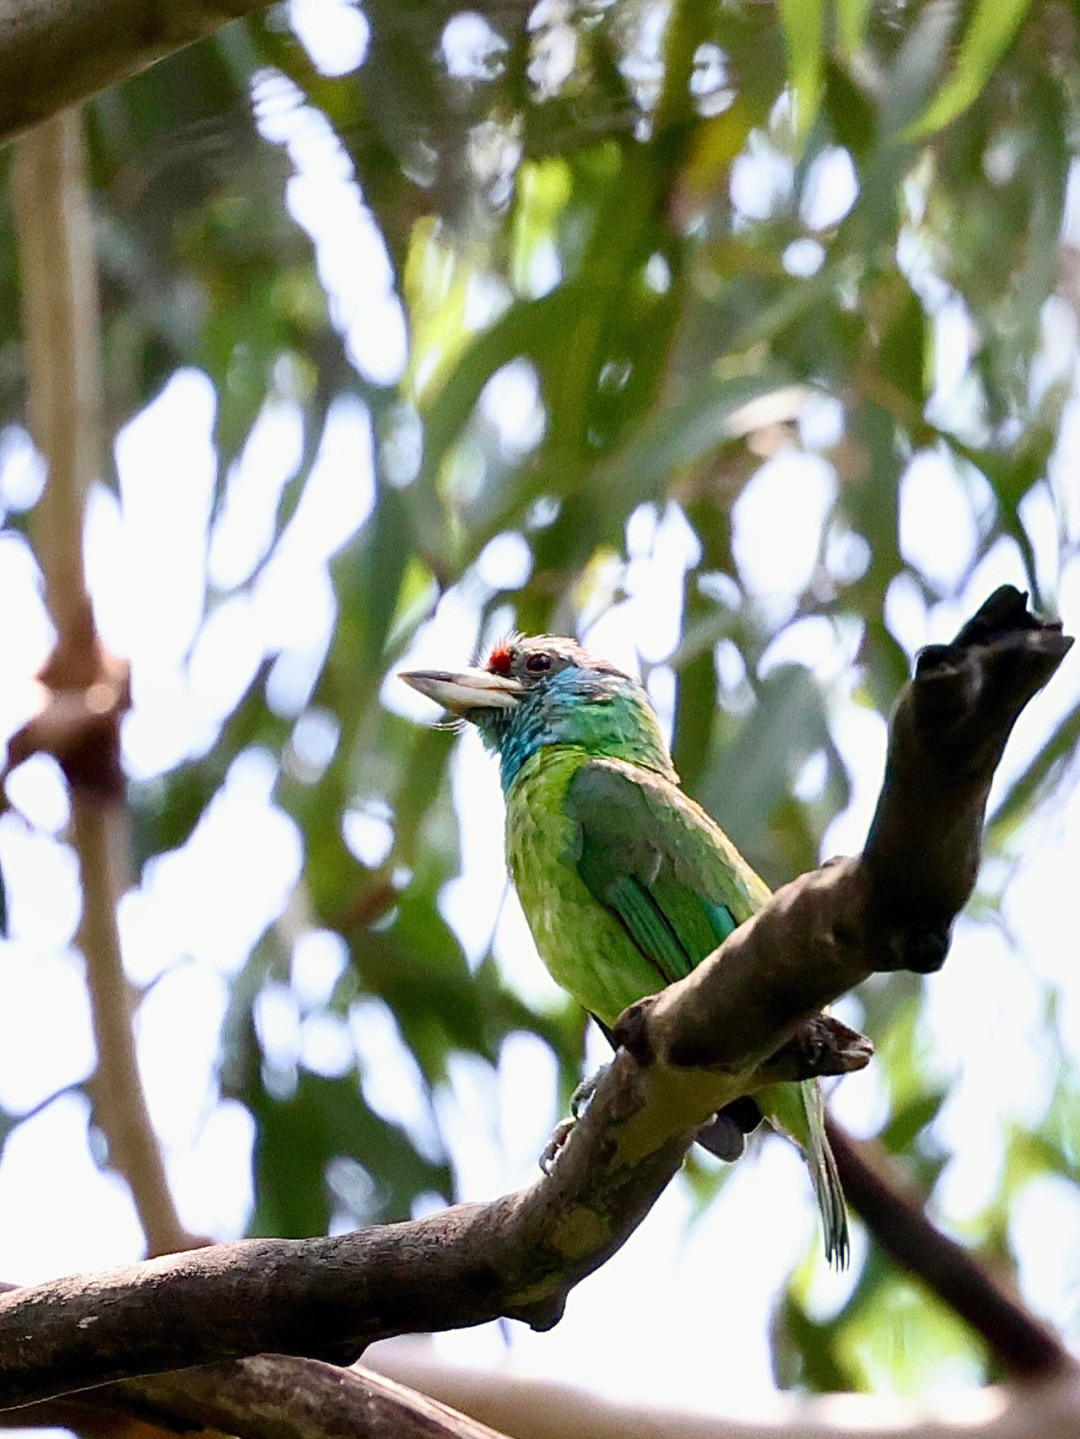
x=659, y=864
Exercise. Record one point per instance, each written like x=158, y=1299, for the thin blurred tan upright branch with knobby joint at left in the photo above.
x=84, y=690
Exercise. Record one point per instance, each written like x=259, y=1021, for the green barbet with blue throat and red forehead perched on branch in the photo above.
x=626, y=883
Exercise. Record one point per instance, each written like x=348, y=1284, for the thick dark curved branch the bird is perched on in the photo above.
x=685, y=1054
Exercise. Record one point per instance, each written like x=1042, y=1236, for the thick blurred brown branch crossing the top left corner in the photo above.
x=57, y=53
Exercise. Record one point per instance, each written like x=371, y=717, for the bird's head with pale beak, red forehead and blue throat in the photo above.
x=534, y=693
